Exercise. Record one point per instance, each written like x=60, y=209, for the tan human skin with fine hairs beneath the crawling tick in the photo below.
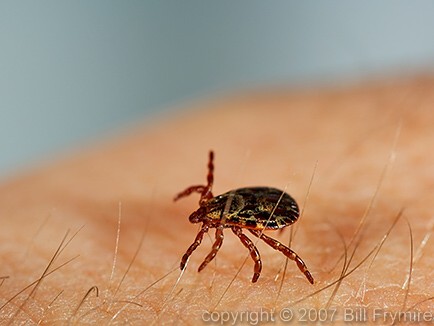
x=355, y=158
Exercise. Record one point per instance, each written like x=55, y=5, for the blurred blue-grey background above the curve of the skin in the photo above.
x=73, y=71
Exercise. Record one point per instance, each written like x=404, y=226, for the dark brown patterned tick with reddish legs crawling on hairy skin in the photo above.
x=255, y=209
